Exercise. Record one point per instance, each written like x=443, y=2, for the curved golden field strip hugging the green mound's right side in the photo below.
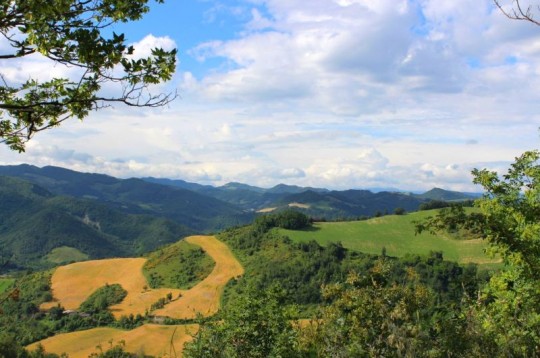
x=204, y=297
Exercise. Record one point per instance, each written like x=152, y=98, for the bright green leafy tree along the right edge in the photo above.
x=510, y=309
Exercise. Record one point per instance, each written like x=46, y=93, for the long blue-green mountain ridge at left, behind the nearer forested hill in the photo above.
x=187, y=207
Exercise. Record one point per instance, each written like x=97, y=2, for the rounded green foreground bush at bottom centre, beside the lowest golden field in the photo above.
x=257, y=325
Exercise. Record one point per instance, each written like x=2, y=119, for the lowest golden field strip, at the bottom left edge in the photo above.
x=149, y=339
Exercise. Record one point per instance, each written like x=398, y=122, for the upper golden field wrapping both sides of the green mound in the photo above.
x=72, y=284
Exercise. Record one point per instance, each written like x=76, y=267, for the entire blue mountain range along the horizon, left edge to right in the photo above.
x=206, y=208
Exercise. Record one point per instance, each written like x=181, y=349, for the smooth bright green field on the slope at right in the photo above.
x=396, y=234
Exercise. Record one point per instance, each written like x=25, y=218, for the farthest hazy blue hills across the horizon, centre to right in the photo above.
x=317, y=202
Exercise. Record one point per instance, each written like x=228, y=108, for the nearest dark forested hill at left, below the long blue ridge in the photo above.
x=34, y=222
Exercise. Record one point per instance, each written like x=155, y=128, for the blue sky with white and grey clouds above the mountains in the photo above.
x=341, y=94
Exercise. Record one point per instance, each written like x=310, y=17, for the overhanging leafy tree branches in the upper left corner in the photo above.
x=75, y=34
